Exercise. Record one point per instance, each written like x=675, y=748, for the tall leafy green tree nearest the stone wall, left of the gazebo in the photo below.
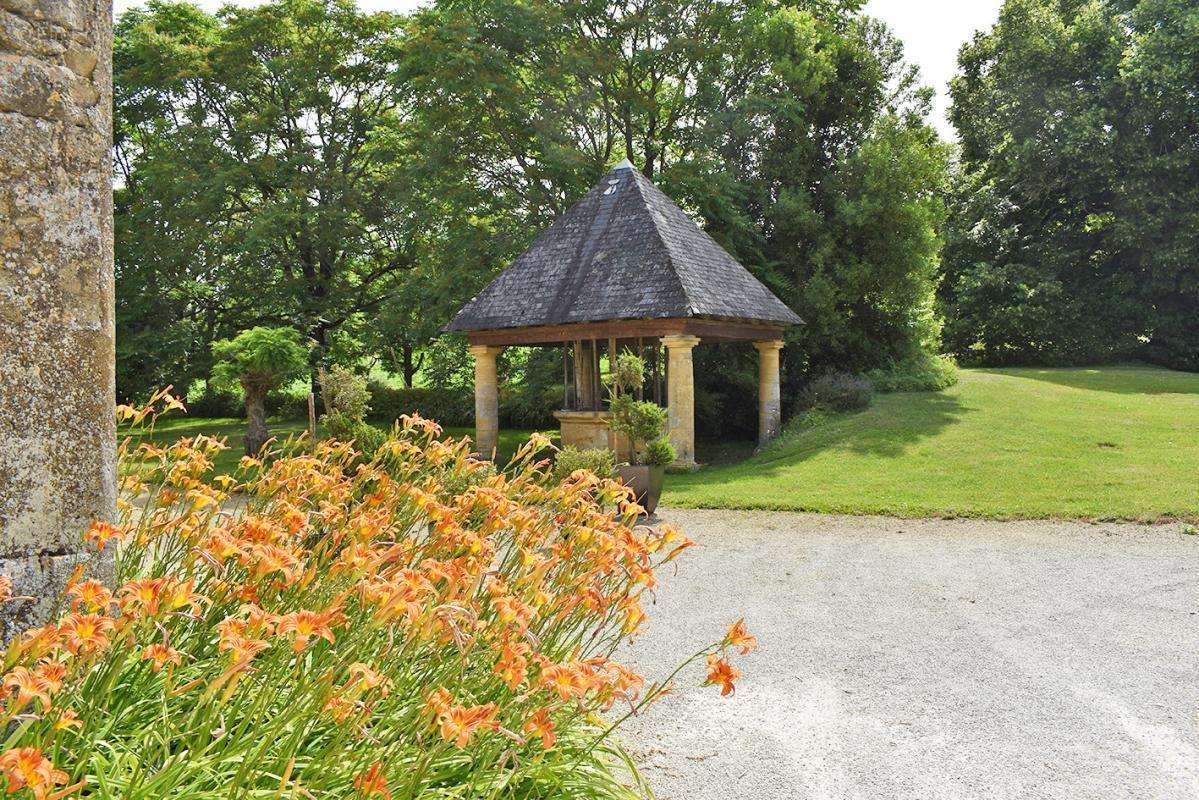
x=263, y=154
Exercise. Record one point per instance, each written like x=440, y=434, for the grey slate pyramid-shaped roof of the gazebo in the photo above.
x=625, y=251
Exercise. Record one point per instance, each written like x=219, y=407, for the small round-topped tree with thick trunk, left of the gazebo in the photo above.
x=260, y=360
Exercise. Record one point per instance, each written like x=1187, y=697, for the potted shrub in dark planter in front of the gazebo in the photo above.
x=644, y=425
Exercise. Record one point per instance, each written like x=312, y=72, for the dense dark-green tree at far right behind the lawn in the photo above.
x=1070, y=238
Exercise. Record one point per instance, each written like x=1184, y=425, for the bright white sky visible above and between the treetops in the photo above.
x=932, y=32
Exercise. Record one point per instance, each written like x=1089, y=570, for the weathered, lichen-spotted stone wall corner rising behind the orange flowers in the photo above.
x=57, y=386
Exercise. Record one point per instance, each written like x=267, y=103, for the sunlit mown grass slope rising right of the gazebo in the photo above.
x=1108, y=443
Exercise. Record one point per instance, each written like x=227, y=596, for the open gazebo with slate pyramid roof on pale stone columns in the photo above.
x=625, y=269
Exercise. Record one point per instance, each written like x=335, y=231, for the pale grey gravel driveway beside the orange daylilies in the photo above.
x=929, y=659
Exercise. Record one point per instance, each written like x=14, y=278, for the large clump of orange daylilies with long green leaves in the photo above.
x=328, y=625
